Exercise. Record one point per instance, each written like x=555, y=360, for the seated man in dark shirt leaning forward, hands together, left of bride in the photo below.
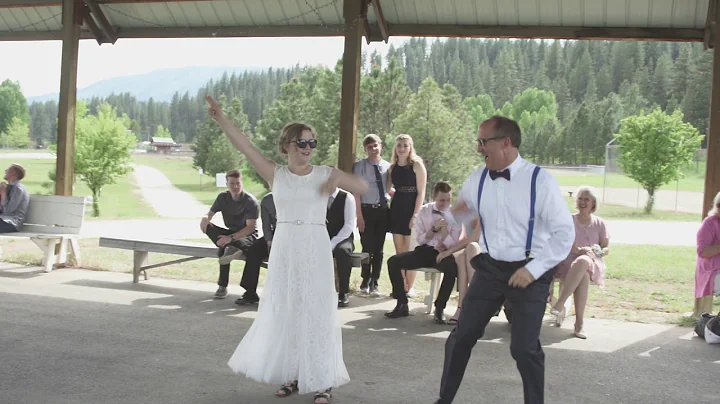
x=240, y=212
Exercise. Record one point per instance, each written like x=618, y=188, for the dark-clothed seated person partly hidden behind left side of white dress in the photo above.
x=259, y=252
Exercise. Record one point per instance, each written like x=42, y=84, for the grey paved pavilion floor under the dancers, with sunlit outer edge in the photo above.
x=75, y=336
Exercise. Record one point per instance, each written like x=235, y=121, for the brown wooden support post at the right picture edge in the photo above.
x=712, y=169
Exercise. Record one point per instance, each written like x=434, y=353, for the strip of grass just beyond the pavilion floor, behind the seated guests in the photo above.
x=644, y=283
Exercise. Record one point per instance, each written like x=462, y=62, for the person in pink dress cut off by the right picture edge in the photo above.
x=707, y=270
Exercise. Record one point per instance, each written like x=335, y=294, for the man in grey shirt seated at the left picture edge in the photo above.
x=14, y=200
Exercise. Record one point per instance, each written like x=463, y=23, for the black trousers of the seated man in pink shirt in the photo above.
x=422, y=256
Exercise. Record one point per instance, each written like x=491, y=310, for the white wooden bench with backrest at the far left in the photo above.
x=53, y=223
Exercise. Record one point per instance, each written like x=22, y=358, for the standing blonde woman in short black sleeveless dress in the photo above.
x=409, y=177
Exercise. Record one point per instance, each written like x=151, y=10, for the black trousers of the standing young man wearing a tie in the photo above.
x=373, y=242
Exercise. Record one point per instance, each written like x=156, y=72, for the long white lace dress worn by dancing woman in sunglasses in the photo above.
x=297, y=334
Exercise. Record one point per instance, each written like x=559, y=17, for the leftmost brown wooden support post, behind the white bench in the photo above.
x=72, y=20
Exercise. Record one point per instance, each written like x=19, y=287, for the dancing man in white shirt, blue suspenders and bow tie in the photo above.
x=527, y=229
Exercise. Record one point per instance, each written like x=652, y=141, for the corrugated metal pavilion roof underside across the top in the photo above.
x=45, y=15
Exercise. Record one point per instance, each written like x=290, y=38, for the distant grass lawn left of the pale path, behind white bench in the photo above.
x=117, y=201
